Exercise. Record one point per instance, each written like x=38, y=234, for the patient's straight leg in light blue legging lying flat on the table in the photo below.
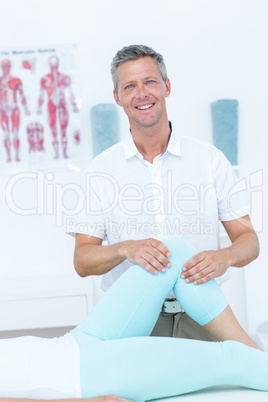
x=146, y=368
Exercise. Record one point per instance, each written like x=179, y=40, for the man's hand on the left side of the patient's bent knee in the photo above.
x=151, y=254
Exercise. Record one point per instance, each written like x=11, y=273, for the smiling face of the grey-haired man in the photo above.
x=142, y=92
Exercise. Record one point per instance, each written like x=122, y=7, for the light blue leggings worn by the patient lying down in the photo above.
x=118, y=356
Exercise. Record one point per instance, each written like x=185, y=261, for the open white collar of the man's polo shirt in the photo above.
x=174, y=145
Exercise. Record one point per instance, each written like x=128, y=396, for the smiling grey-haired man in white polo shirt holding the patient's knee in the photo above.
x=157, y=184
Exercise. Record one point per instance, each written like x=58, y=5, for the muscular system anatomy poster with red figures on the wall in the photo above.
x=40, y=123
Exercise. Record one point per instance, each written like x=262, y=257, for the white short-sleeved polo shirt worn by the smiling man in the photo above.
x=185, y=192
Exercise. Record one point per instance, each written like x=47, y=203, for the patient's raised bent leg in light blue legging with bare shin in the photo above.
x=131, y=306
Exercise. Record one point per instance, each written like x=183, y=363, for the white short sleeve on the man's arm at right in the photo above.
x=232, y=193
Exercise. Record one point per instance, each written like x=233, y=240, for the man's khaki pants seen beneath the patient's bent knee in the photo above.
x=180, y=325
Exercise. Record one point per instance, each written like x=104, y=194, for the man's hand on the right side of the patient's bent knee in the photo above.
x=205, y=266
